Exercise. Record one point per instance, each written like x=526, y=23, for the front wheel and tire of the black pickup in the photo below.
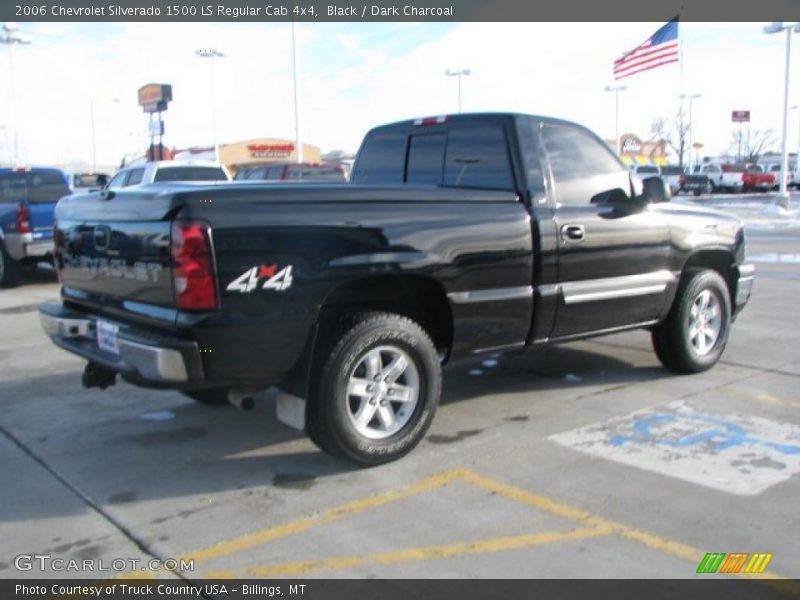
x=702, y=297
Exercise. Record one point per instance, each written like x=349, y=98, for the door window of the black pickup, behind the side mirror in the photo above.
x=584, y=169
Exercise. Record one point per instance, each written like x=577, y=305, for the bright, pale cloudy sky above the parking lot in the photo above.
x=353, y=76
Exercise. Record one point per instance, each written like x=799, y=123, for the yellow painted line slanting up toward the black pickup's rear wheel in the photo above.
x=351, y=508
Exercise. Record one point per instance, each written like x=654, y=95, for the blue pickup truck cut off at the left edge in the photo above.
x=28, y=198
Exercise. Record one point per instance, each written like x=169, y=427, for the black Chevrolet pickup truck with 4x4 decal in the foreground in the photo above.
x=457, y=235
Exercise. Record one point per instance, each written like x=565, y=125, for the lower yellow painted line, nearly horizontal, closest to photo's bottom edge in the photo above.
x=426, y=552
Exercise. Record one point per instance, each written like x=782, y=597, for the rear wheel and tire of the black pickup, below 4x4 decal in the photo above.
x=350, y=413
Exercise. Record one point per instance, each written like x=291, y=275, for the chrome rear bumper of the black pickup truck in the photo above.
x=144, y=357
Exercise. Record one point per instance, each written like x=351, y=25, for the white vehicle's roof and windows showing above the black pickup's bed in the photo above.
x=168, y=171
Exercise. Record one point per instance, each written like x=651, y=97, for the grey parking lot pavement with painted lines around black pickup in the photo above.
x=586, y=459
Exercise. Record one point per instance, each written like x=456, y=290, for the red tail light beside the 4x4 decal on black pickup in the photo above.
x=193, y=267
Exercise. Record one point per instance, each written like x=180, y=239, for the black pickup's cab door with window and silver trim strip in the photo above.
x=613, y=251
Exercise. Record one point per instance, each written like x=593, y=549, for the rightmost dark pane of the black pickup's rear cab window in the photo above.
x=477, y=157
